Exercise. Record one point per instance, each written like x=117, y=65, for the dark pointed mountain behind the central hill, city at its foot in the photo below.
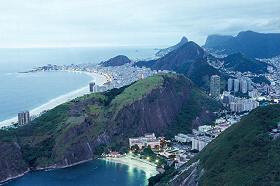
x=189, y=59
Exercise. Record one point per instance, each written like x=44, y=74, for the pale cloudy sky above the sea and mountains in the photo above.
x=157, y=23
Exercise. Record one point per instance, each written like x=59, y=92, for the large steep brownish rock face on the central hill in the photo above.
x=155, y=112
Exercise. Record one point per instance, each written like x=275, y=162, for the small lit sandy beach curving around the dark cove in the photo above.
x=132, y=162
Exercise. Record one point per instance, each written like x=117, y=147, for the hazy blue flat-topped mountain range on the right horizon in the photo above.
x=251, y=44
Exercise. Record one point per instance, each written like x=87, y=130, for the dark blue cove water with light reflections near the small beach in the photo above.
x=94, y=173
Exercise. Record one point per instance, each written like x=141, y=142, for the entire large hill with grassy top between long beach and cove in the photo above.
x=85, y=127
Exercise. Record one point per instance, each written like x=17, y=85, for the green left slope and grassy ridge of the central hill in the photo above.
x=46, y=132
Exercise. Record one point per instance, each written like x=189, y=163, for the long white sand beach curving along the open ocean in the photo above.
x=96, y=77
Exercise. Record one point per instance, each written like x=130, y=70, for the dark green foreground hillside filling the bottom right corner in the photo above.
x=245, y=154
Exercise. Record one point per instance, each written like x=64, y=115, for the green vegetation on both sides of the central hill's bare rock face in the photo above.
x=41, y=140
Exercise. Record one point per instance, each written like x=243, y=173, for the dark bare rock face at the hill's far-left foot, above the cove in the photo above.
x=11, y=161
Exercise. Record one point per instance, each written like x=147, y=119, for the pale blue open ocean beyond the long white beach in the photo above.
x=27, y=91
